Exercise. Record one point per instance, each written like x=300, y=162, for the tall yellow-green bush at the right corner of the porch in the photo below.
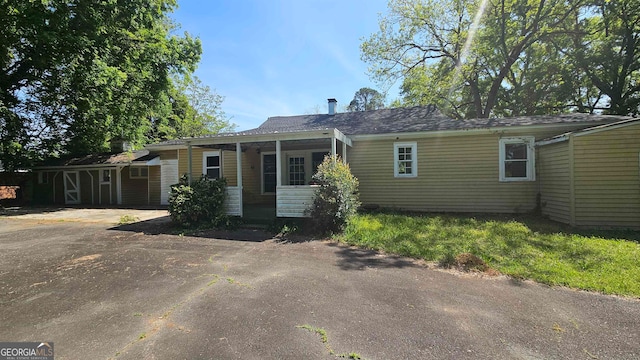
x=336, y=200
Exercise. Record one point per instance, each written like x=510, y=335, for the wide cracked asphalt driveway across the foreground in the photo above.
x=136, y=292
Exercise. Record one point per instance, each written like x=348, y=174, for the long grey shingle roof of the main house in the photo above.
x=400, y=120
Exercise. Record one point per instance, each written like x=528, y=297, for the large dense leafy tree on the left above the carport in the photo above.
x=76, y=73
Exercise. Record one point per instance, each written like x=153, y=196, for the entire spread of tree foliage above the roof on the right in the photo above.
x=484, y=58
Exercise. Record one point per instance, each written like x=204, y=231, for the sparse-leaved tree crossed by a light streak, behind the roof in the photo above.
x=464, y=56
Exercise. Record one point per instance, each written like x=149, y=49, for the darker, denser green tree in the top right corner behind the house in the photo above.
x=606, y=51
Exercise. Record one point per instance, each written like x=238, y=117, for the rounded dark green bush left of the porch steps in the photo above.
x=202, y=203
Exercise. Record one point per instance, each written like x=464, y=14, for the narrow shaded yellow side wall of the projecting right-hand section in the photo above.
x=554, y=179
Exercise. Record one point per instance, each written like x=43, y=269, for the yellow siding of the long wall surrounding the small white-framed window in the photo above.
x=454, y=174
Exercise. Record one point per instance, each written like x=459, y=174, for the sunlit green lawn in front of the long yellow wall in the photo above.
x=522, y=247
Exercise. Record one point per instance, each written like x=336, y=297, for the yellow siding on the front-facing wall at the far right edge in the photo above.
x=607, y=178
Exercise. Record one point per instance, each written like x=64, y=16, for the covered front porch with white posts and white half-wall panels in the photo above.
x=270, y=171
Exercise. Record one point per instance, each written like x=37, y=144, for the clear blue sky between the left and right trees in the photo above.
x=281, y=57
